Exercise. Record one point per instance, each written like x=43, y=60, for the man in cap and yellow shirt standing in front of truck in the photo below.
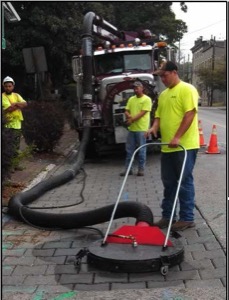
x=137, y=113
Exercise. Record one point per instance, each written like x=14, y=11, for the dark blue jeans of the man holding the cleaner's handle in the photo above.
x=171, y=164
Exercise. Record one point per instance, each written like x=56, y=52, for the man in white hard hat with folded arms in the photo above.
x=12, y=104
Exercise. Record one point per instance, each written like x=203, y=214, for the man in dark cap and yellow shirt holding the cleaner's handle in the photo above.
x=176, y=117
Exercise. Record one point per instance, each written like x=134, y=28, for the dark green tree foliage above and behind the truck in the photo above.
x=57, y=26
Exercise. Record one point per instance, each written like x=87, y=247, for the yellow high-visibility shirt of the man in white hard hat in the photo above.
x=15, y=117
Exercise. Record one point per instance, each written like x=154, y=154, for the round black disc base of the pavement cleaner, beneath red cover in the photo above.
x=134, y=259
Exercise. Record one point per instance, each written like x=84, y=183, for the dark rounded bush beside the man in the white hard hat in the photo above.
x=43, y=125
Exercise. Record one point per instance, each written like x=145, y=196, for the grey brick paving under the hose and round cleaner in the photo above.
x=39, y=264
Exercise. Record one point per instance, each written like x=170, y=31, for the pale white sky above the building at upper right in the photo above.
x=207, y=19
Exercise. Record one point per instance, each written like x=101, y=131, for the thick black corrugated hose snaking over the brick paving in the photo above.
x=17, y=204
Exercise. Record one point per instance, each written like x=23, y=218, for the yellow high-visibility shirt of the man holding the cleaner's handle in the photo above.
x=173, y=103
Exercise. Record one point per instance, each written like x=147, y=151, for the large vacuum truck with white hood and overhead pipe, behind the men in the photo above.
x=105, y=70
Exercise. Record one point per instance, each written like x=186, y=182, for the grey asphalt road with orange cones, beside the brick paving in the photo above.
x=210, y=173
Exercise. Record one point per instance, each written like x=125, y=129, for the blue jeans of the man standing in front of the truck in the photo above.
x=135, y=140
